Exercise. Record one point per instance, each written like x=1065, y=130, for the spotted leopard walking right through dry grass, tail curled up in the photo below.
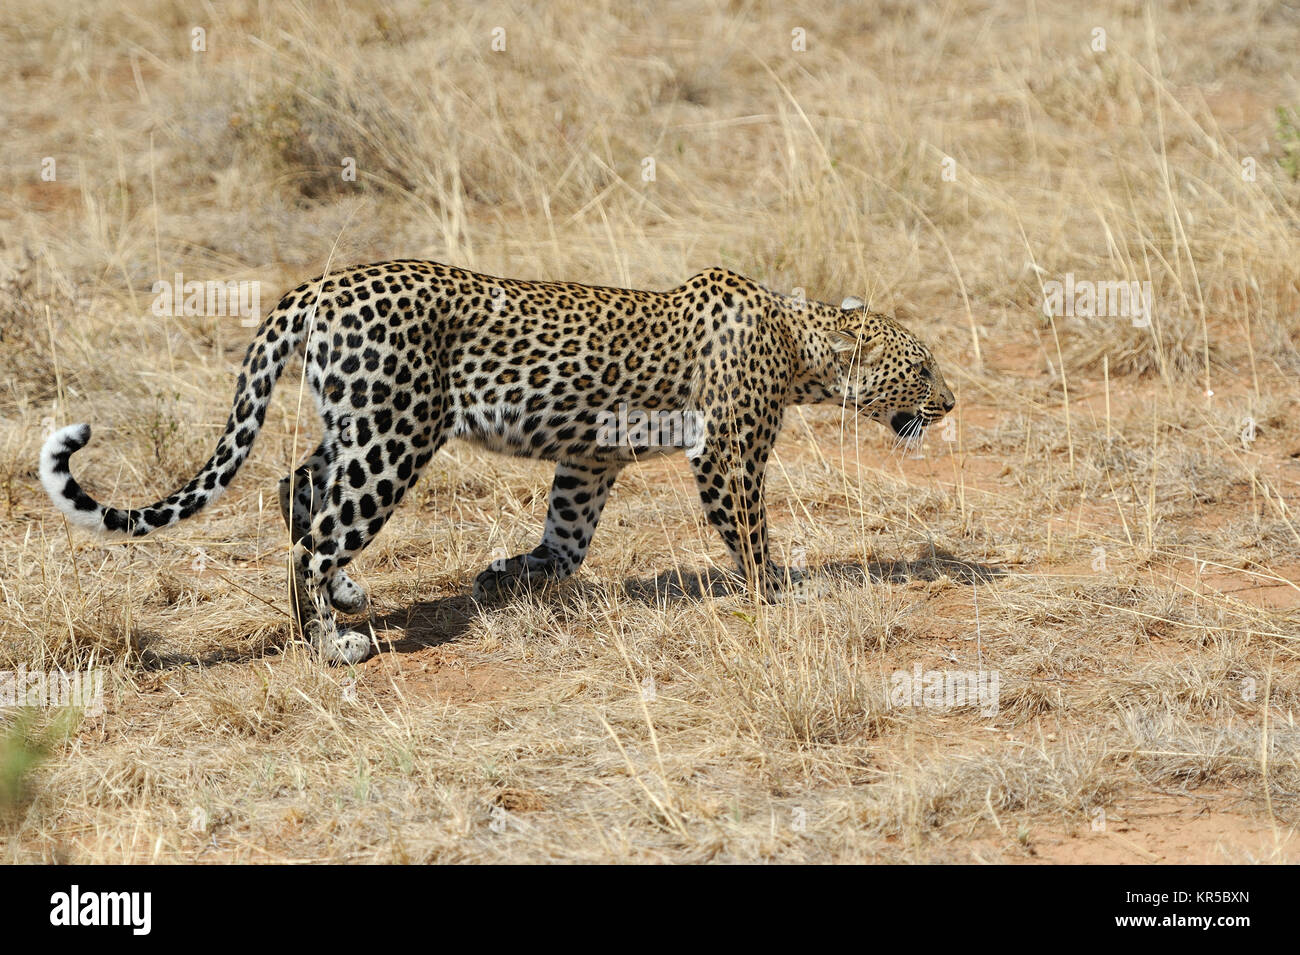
x=402, y=357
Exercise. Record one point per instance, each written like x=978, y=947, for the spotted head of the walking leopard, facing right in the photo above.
x=885, y=372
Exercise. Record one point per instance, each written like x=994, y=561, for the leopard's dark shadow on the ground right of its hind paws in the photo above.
x=434, y=623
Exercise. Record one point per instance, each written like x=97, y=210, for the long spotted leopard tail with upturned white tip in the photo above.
x=278, y=340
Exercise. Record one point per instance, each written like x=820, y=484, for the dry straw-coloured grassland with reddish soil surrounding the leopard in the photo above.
x=1095, y=532
